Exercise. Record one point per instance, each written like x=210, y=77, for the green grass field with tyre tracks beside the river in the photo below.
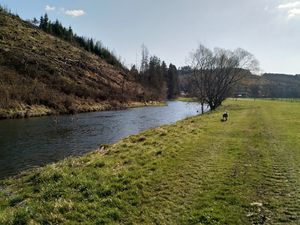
x=197, y=171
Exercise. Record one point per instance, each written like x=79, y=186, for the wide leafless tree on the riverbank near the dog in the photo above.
x=216, y=72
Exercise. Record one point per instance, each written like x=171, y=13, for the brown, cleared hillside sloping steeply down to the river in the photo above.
x=41, y=74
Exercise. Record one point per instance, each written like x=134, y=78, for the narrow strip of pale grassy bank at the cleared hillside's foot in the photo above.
x=26, y=111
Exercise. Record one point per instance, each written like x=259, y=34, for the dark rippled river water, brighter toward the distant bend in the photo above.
x=28, y=143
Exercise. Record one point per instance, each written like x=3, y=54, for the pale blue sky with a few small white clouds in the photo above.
x=172, y=29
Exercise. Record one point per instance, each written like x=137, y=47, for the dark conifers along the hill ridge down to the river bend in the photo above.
x=153, y=73
